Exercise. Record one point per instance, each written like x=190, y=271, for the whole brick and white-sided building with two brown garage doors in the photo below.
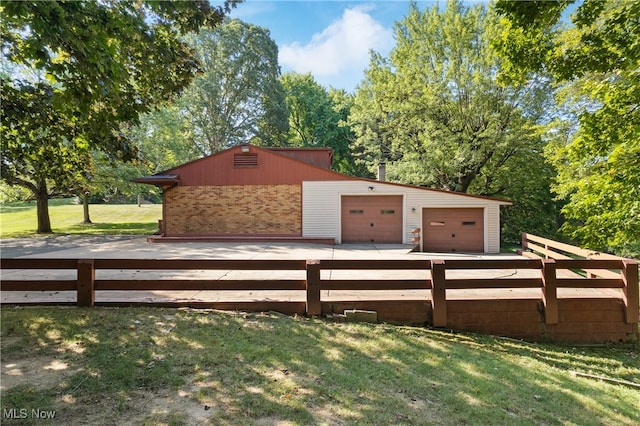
x=247, y=192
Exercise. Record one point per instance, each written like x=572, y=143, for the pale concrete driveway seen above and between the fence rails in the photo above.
x=134, y=247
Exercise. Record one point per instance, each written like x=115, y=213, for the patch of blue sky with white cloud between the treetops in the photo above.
x=330, y=39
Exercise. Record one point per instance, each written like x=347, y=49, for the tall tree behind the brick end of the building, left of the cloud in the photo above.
x=238, y=98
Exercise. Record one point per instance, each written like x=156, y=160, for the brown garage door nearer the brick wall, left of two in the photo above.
x=374, y=218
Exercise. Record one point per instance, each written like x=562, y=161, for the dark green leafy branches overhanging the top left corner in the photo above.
x=105, y=62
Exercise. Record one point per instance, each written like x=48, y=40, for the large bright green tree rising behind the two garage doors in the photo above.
x=434, y=113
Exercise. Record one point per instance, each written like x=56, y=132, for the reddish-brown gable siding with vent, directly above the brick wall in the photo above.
x=272, y=169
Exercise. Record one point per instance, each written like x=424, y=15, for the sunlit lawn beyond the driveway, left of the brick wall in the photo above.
x=19, y=220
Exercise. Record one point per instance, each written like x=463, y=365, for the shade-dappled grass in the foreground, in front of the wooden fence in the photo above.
x=169, y=366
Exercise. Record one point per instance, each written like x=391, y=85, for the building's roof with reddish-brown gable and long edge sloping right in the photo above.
x=252, y=165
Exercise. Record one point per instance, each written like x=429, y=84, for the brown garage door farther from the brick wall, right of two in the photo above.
x=453, y=230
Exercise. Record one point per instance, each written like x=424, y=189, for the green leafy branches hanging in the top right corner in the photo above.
x=603, y=38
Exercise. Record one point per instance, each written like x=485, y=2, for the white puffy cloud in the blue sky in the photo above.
x=341, y=48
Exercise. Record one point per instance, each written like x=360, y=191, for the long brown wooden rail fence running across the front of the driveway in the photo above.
x=434, y=276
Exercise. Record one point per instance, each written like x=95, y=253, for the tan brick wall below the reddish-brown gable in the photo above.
x=234, y=209
